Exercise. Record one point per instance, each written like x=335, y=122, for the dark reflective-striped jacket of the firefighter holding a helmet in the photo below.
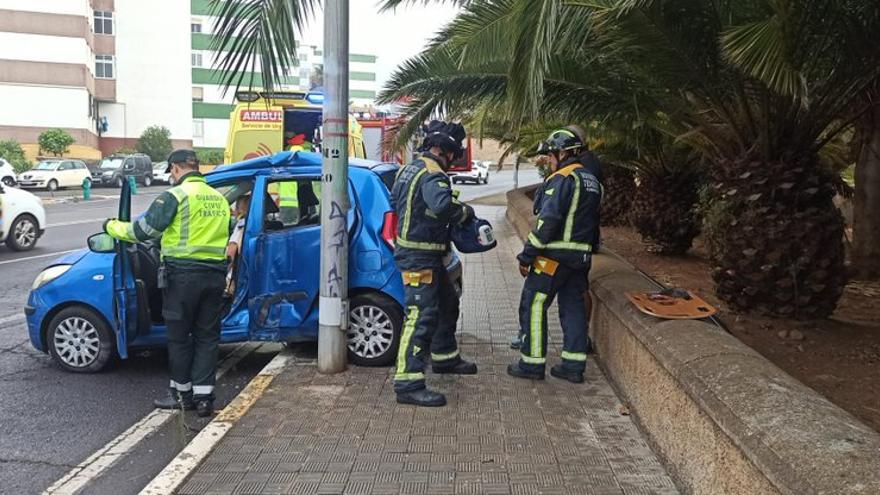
x=426, y=206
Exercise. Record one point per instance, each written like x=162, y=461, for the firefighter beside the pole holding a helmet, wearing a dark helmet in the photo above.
x=426, y=207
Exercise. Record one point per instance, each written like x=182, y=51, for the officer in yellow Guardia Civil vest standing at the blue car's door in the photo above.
x=193, y=221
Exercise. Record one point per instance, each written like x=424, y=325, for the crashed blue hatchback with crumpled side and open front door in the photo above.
x=96, y=304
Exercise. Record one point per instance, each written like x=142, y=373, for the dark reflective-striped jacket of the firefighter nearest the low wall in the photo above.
x=567, y=208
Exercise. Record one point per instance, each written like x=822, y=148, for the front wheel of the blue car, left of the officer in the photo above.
x=80, y=341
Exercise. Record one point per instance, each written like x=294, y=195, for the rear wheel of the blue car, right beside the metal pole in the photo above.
x=375, y=326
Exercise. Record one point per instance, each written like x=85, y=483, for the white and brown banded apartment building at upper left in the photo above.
x=103, y=70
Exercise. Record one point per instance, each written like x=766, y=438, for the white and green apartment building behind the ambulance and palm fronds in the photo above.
x=211, y=108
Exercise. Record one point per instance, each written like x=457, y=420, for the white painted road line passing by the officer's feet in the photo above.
x=97, y=463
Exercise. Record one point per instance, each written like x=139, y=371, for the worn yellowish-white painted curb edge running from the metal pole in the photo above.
x=179, y=469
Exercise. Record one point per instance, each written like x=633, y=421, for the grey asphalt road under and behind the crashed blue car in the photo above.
x=51, y=420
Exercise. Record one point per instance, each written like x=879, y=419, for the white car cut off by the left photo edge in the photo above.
x=22, y=218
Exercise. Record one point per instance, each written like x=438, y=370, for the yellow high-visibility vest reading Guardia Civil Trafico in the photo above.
x=200, y=229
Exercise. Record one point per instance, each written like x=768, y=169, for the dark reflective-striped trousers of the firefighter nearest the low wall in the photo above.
x=542, y=285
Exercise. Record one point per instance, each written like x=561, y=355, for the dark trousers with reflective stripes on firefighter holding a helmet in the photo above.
x=432, y=309
